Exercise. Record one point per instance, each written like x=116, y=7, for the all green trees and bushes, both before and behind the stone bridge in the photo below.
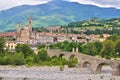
x=24, y=55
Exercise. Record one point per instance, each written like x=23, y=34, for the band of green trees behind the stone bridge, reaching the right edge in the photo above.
x=110, y=48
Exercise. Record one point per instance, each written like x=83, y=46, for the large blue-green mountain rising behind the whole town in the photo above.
x=53, y=13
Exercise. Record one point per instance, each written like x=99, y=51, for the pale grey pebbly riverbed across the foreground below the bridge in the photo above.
x=54, y=73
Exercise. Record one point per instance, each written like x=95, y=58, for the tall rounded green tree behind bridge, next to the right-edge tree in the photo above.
x=108, y=49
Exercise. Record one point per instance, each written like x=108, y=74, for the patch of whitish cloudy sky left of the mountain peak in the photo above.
x=5, y=4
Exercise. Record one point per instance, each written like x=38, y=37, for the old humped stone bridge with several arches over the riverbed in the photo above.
x=84, y=60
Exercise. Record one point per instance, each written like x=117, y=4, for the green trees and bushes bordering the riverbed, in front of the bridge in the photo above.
x=24, y=55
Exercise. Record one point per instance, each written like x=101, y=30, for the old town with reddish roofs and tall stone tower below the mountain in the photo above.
x=33, y=38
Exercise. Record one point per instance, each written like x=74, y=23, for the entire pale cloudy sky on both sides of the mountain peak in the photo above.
x=5, y=4
